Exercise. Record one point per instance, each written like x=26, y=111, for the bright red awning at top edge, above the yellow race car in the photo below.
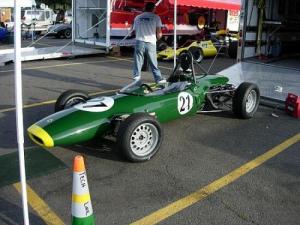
x=212, y=4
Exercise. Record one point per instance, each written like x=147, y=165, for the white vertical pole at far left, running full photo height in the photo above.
x=19, y=106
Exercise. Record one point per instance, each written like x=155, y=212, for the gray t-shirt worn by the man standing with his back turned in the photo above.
x=145, y=27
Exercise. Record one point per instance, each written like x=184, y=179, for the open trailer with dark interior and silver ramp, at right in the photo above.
x=268, y=51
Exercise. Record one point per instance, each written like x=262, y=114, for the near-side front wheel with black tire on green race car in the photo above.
x=139, y=137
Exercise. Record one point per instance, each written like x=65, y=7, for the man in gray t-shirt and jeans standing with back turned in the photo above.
x=147, y=27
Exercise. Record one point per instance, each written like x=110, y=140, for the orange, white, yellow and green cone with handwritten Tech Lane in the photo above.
x=82, y=211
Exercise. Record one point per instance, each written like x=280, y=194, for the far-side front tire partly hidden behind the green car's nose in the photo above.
x=70, y=98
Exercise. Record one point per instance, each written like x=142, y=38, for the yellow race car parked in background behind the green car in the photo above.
x=199, y=49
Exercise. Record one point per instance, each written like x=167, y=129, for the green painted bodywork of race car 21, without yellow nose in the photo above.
x=73, y=126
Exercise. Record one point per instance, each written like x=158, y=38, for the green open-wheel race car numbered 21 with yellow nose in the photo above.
x=134, y=114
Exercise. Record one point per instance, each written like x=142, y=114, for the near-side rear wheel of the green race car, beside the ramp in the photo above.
x=246, y=100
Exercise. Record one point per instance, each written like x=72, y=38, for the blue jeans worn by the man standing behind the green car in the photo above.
x=150, y=49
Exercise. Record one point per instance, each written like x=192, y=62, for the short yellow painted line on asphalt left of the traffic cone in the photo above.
x=40, y=206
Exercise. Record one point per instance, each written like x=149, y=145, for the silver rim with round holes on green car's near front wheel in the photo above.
x=144, y=139
